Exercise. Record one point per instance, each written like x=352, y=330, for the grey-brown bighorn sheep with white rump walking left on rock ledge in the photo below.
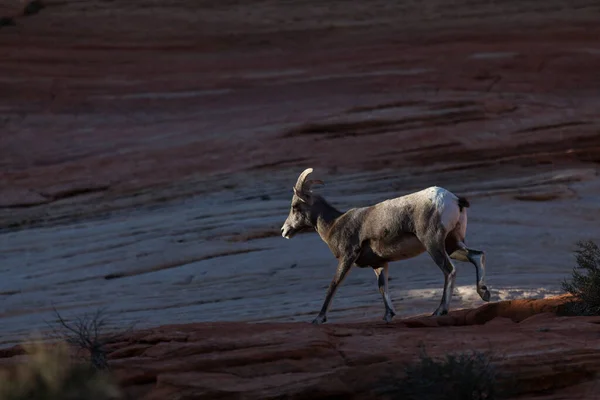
x=432, y=220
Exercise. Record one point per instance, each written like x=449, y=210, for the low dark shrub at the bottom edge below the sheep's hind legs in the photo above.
x=464, y=376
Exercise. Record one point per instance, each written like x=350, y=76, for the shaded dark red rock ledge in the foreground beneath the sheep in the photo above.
x=542, y=355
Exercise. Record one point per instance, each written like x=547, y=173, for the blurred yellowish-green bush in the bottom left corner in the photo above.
x=49, y=374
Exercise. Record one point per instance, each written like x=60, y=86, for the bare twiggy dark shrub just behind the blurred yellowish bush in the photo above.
x=86, y=334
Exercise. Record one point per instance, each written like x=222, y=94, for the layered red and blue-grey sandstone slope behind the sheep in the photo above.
x=147, y=151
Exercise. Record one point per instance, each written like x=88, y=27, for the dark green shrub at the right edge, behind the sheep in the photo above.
x=585, y=280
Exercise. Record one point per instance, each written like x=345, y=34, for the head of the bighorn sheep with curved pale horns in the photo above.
x=299, y=217
